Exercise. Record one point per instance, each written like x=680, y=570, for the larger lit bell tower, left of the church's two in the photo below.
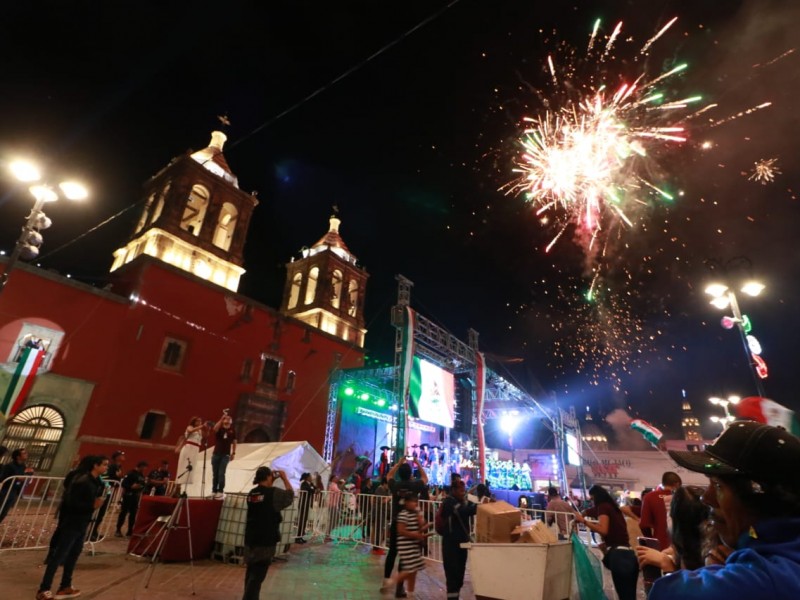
x=195, y=217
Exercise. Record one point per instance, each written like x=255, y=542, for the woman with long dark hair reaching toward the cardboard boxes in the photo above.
x=618, y=556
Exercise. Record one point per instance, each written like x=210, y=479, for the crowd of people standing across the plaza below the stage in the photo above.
x=740, y=534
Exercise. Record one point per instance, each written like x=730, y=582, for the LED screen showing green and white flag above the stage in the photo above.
x=432, y=393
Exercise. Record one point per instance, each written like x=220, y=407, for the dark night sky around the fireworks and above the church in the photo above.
x=406, y=117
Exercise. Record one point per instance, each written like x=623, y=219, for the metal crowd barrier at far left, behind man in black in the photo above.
x=31, y=516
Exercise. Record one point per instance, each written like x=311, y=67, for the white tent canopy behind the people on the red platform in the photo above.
x=295, y=458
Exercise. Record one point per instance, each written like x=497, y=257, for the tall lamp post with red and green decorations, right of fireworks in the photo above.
x=723, y=296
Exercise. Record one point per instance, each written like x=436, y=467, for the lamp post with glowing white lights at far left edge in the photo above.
x=27, y=246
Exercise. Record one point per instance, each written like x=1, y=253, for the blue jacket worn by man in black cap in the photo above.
x=766, y=566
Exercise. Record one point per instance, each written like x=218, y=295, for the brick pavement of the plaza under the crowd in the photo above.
x=312, y=571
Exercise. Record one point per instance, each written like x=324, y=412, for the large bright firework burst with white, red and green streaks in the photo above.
x=588, y=160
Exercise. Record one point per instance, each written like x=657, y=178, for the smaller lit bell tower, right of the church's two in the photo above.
x=325, y=288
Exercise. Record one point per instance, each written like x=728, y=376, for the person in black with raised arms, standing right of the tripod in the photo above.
x=262, y=529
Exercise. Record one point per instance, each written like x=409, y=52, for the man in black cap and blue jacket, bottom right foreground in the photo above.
x=754, y=497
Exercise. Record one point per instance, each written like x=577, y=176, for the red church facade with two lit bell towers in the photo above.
x=128, y=366
